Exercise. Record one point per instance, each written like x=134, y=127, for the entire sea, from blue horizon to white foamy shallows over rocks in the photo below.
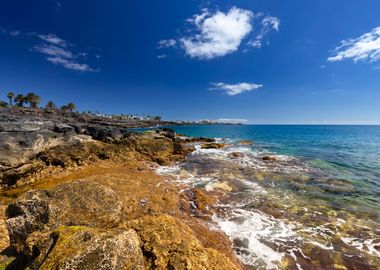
x=298, y=197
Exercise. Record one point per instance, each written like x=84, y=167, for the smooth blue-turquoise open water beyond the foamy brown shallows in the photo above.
x=347, y=152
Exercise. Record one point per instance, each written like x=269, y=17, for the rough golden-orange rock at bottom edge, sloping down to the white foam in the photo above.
x=168, y=243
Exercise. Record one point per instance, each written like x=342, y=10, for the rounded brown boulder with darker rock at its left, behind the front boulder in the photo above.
x=80, y=202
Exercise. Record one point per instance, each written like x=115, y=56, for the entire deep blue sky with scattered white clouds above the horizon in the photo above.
x=264, y=61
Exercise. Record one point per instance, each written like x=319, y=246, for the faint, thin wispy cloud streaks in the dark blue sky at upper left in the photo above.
x=57, y=50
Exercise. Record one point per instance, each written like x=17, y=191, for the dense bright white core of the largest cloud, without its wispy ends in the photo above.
x=218, y=33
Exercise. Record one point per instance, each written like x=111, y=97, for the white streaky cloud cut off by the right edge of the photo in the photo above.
x=365, y=47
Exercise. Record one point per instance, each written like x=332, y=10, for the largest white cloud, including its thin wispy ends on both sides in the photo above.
x=214, y=34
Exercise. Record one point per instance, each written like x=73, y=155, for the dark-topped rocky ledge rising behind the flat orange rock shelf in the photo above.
x=27, y=148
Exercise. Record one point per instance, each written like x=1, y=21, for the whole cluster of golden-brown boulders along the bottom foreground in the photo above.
x=80, y=225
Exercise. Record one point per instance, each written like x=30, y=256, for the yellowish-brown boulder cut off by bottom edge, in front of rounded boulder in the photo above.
x=89, y=248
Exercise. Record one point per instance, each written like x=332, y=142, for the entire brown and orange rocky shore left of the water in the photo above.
x=80, y=193
